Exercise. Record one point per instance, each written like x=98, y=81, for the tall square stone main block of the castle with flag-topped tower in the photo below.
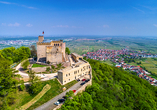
x=50, y=51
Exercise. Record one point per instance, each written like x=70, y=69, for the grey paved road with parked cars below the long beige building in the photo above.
x=50, y=104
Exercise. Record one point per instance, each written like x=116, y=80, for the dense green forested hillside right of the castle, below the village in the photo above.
x=114, y=89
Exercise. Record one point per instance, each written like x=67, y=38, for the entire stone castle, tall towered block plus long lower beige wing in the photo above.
x=54, y=53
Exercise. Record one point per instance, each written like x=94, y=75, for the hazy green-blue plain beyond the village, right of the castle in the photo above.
x=83, y=45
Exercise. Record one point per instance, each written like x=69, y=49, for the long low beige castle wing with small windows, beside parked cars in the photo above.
x=79, y=69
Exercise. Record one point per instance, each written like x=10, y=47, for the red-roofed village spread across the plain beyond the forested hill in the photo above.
x=118, y=57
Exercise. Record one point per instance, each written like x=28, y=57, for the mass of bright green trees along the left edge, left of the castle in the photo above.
x=8, y=80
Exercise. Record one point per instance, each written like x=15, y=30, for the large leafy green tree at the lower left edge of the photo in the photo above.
x=7, y=83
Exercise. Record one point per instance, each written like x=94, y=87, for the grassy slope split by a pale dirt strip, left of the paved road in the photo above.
x=23, y=97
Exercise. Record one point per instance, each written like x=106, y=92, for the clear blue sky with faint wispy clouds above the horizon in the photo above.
x=78, y=17
